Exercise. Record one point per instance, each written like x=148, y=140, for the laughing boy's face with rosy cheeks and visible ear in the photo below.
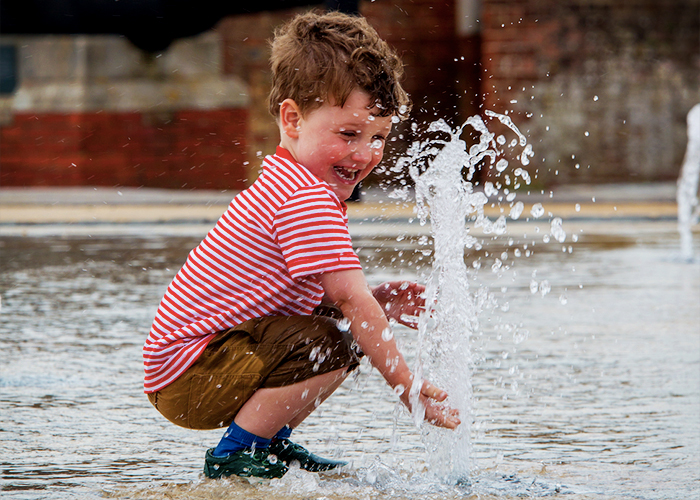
x=338, y=145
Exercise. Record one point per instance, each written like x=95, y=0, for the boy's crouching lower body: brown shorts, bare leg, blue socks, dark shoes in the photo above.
x=279, y=368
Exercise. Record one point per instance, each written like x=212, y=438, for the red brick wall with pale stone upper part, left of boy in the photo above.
x=97, y=111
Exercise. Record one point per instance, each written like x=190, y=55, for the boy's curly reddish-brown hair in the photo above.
x=317, y=56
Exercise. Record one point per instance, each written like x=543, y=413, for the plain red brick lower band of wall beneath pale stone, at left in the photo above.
x=183, y=149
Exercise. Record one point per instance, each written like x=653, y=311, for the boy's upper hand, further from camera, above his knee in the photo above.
x=401, y=301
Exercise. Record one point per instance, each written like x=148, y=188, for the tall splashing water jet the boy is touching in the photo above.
x=445, y=194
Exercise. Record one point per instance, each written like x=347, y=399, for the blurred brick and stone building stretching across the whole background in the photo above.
x=601, y=87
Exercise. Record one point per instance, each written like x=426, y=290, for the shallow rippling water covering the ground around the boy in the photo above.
x=587, y=388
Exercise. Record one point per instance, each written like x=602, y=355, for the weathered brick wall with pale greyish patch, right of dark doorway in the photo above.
x=601, y=87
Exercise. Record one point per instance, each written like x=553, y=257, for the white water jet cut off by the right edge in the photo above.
x=687, y=194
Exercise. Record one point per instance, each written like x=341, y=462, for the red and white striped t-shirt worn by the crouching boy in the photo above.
x=262, y=258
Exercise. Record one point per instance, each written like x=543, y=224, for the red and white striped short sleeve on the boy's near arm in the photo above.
x=312, y=232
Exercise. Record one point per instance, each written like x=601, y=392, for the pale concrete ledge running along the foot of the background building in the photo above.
x=130, y=205
